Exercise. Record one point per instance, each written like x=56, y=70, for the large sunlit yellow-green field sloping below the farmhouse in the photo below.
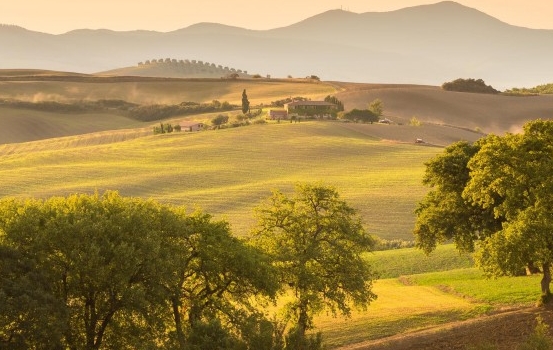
x=228, y=172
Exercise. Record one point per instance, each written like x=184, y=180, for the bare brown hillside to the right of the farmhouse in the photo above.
x=486, y=113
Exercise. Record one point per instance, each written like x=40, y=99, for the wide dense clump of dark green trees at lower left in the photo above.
x=104, y=271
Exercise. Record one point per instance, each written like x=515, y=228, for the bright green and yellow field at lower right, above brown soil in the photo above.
x=416, y=301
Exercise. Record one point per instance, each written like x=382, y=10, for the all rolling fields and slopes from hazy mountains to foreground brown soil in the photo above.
x=377, y=168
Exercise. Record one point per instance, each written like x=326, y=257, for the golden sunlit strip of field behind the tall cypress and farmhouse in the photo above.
x=166, y=92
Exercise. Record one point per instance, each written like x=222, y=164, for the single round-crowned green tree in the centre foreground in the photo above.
x=315, y=240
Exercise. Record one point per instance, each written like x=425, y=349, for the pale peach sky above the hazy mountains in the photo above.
x=60, y=16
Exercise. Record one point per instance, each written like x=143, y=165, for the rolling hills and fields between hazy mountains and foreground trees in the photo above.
x=232, y=170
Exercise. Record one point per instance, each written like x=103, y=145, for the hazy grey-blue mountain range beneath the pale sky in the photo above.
x=427, y=44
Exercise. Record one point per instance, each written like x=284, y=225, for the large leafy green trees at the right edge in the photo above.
x=494, y=194
